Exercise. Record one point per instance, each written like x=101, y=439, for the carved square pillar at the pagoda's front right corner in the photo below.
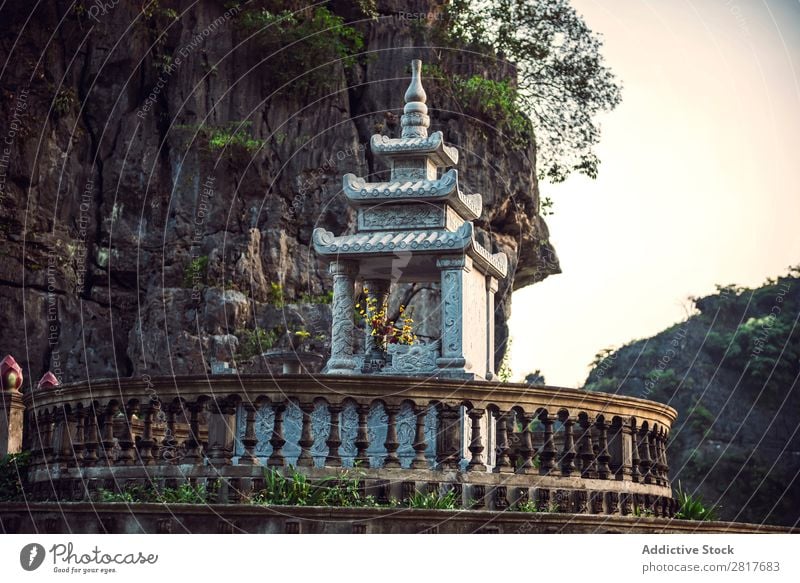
x=453, y=272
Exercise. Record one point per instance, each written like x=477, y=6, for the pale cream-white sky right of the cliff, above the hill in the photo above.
x=699, y=182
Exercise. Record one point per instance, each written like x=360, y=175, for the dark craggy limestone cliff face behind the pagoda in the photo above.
x=135, y=241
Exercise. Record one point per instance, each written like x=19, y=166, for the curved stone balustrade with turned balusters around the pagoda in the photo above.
x=495, y=445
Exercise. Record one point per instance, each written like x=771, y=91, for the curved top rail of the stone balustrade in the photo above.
x=337, y=388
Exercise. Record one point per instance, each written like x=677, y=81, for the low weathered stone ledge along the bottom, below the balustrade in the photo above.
x=92, y=517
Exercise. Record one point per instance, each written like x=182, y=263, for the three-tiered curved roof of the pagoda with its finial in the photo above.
x=421, y=208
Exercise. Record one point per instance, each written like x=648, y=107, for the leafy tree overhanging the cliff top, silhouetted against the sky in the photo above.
x=563, y=82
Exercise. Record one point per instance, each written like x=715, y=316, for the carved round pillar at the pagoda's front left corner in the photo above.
x=341, y=361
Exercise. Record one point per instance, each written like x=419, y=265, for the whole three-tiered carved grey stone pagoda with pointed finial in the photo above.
x=421, y=217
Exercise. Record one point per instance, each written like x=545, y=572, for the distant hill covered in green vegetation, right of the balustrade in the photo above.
x=732, y=372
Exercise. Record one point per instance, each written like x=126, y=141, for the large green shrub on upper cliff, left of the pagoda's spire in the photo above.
x=302, y=46
